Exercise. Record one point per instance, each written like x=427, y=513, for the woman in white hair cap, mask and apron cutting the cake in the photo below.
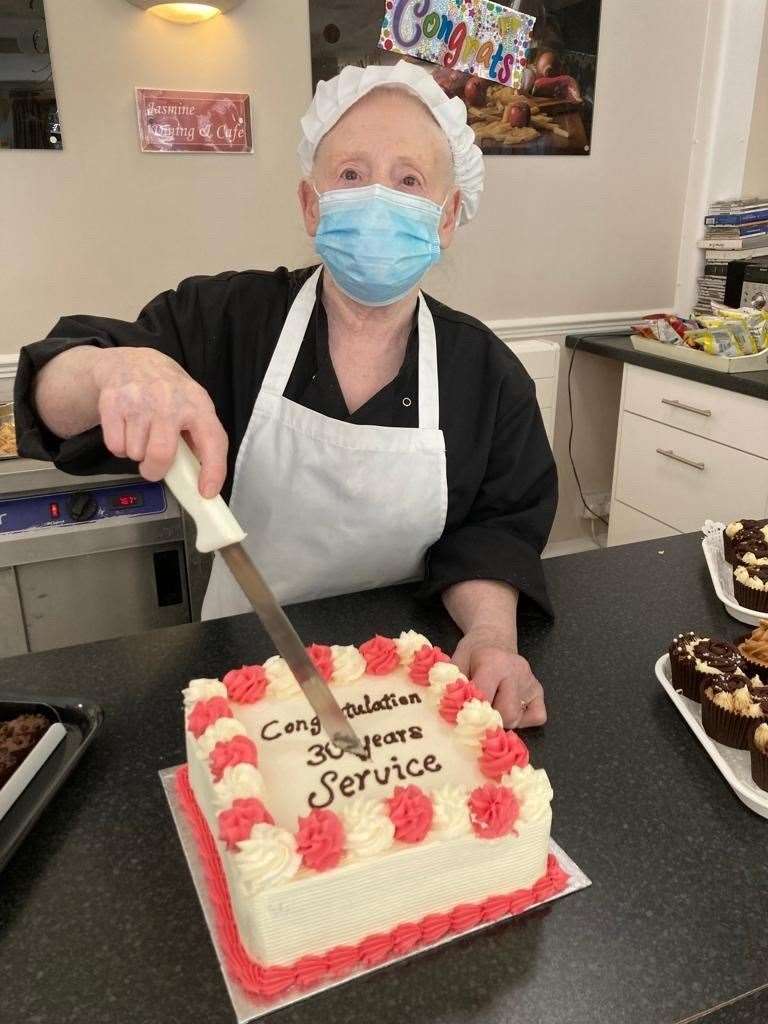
x=364, y=434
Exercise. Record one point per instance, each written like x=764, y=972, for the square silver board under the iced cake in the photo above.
x=248, y=1008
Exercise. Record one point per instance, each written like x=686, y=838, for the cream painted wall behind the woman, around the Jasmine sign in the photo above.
x=101, y=228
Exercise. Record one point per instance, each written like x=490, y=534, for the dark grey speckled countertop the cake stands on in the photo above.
x=100, y=921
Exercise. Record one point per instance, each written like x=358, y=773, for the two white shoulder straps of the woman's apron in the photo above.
x=292, y=336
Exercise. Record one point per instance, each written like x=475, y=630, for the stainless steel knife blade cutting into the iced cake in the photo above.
x=289, y=646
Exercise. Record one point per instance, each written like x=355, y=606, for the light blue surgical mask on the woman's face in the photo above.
x=378, y=243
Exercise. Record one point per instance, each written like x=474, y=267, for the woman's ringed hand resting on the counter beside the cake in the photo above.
x=505, y=677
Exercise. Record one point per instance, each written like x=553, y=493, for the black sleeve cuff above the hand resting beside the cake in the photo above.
x=487, y=552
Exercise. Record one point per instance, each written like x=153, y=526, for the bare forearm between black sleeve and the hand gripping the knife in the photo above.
x=66, y=394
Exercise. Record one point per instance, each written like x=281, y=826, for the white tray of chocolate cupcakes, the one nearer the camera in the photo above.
x=721, y=690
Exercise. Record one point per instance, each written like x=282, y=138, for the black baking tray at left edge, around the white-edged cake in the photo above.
x=81, y=719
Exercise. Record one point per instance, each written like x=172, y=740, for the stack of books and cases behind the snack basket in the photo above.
x=736, y=231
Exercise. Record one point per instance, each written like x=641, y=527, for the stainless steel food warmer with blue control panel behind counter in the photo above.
x=84, y=560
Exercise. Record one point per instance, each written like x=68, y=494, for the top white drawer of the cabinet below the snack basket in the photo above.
x=738, y=420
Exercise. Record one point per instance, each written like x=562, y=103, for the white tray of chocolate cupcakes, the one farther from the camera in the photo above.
x=737, y=557
